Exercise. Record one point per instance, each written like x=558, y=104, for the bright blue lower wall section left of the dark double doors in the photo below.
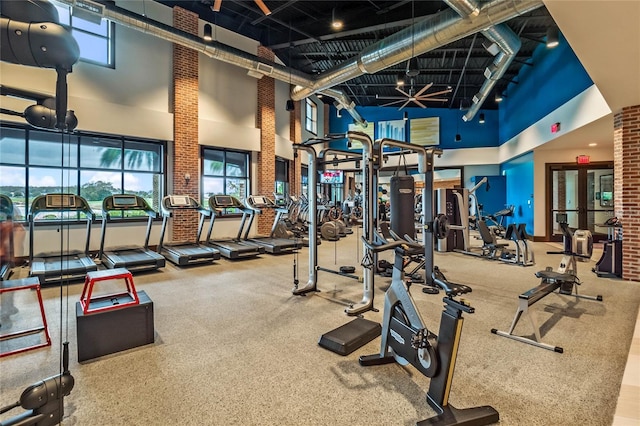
x=519, y=178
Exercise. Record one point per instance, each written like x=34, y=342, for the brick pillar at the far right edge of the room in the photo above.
x=626, y=166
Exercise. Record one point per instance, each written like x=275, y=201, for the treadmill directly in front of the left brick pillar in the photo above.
x=185, y=253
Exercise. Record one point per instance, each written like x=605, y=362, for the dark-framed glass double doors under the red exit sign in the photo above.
x=584, y=193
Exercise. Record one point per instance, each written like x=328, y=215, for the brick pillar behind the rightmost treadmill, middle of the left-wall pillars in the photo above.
x=266, y=122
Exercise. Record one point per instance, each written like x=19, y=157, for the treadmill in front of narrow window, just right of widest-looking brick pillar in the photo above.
x=230, y=248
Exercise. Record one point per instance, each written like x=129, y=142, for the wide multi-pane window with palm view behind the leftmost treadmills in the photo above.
x=36, y=162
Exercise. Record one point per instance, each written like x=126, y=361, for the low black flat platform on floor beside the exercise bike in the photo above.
x=350, y=336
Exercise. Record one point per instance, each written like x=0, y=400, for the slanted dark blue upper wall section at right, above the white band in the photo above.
x=555, y=77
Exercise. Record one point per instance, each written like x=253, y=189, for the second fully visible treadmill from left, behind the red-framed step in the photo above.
x=135, y=259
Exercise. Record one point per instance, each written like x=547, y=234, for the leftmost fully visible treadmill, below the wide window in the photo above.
x=55, y=267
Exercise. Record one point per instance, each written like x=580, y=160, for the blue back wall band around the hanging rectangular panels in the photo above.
x=474, y=134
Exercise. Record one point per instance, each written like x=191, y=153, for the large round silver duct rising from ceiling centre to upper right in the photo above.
x=428, y=34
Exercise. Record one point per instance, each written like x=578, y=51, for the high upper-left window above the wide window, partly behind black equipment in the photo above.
x=96, y=41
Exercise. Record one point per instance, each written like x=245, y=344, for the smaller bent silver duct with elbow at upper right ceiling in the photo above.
x=505, y=40
